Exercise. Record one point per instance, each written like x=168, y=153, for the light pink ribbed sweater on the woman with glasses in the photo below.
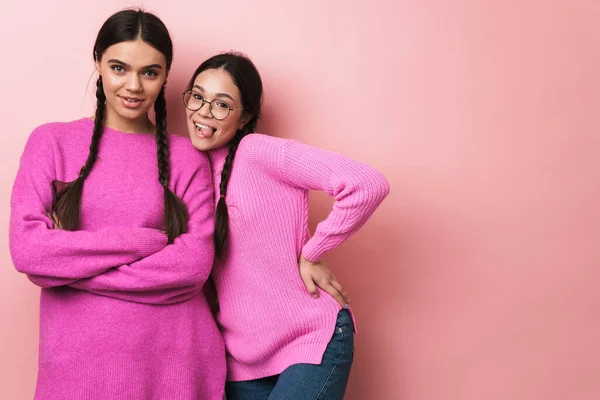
x=268, y=319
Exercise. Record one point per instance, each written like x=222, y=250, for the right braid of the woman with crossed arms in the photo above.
x=176, y=216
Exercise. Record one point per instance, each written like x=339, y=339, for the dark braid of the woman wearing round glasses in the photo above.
x=222, y=215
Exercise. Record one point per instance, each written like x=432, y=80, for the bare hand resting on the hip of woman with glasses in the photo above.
x=318, y=274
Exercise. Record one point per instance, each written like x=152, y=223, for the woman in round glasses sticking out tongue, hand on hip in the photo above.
x=282, y=340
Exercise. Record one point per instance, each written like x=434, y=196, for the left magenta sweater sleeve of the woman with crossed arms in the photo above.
x=52, y=257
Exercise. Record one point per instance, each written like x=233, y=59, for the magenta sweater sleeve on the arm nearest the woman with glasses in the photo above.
x=177, y=272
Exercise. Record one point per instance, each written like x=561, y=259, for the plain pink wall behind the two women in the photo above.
x=477, y=278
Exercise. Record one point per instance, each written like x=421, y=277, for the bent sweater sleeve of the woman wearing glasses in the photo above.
x=357, y=188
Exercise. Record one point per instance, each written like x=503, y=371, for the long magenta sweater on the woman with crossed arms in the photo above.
x=120, y=314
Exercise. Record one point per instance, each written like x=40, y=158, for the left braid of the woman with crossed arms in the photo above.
x=67, y=196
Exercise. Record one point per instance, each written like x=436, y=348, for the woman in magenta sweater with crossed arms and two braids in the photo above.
x=122, y=315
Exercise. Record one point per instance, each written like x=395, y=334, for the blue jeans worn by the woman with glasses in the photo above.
x=327, y=380
